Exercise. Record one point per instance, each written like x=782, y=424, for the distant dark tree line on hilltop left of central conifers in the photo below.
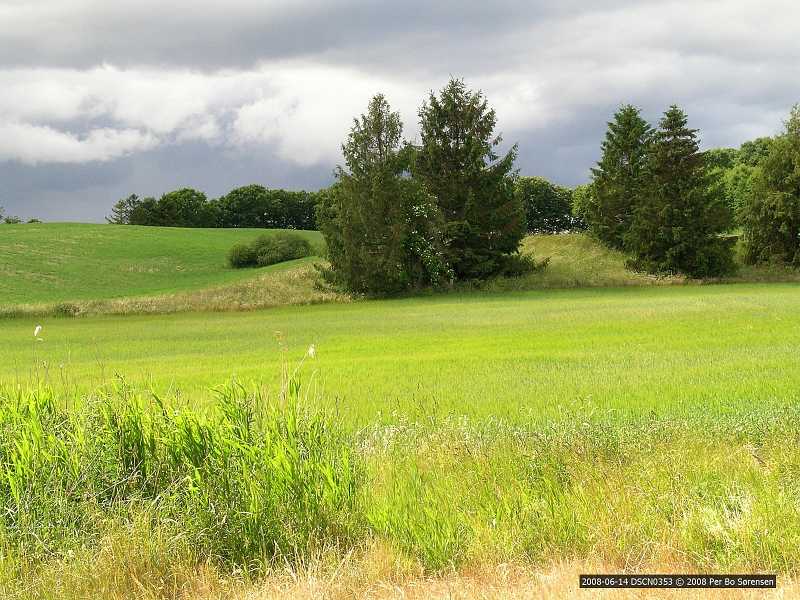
x=248, y=206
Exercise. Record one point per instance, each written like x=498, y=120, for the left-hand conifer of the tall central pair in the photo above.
x=377, y=221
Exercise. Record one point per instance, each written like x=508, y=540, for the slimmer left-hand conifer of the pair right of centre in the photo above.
x=608, y=204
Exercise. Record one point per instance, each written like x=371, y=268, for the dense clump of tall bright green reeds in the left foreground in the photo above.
x=239, y=483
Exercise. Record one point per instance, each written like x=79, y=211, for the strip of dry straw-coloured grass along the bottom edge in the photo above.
x=380, y=576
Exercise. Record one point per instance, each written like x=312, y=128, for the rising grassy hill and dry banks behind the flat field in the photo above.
x=68, y=269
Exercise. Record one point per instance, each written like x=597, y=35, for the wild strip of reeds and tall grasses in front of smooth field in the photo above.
x=123, y=494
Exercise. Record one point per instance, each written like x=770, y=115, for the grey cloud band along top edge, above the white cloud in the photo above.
x=239, y=34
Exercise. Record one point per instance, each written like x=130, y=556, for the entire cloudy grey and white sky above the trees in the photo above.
x=100, y=100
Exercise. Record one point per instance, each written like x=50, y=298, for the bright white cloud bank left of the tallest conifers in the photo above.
x=303, y=111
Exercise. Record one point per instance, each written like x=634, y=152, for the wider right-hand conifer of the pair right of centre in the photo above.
x=678, y=219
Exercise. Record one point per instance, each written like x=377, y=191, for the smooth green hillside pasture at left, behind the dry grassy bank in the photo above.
x=57, y=262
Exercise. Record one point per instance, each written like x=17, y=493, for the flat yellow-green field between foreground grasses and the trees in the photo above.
x=640, y=349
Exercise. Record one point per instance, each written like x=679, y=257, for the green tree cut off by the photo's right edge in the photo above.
x=771, y=217
